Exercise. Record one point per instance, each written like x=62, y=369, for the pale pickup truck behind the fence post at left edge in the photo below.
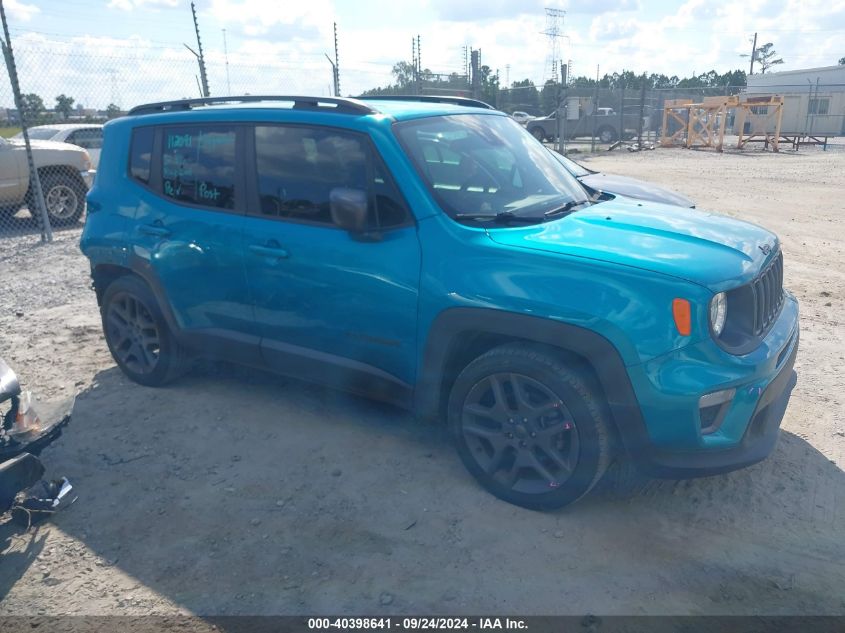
x=65, y=172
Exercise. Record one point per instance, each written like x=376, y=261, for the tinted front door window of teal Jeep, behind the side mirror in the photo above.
x=298, y=166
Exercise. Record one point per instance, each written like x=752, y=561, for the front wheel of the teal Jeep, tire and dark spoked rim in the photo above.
x=542, y=451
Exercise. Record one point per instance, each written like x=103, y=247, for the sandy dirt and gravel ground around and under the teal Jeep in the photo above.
x=237, y=492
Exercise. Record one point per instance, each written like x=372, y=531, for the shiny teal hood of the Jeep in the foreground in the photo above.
x=705, y=248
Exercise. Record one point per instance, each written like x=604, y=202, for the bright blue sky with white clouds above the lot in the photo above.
x=131, y=50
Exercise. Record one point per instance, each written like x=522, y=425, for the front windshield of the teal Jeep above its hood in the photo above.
x=487, y=165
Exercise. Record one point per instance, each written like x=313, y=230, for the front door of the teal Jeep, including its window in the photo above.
x=331, y=306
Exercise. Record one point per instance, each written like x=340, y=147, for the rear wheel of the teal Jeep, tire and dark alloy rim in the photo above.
x=137, y=334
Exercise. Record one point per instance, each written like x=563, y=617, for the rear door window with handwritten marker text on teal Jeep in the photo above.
x=198, y=165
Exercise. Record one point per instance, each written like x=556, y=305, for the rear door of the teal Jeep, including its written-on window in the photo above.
x=189, y=230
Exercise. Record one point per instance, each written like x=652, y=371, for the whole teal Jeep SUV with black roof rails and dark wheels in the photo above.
x=431, y=253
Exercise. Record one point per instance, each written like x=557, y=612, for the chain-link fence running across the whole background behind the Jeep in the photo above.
x=69, y=89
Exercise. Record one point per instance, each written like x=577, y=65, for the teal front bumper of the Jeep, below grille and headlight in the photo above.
x=679, y=441
